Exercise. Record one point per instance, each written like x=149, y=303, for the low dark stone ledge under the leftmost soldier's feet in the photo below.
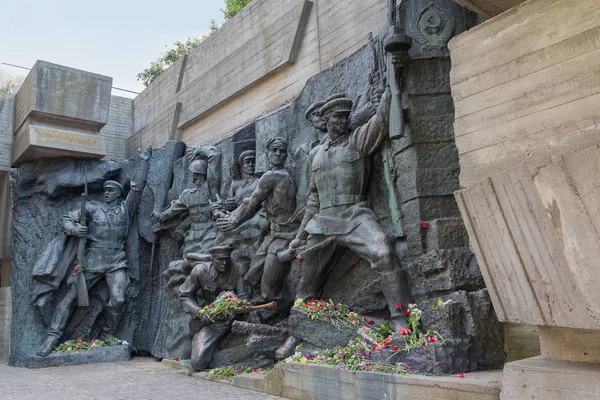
x=94, y=356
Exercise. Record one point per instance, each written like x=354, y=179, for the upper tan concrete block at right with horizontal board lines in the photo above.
x=526, y=86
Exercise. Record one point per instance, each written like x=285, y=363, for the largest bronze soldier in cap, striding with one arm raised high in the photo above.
x=337, y=211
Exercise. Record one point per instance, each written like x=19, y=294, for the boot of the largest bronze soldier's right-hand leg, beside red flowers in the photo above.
x=395, y=292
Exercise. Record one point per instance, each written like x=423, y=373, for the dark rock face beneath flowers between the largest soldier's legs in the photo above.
x=320, y=333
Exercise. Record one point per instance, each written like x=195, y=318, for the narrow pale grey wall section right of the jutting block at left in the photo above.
x=119, y=127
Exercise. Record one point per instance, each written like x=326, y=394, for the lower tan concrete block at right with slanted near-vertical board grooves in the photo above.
x=534, y=234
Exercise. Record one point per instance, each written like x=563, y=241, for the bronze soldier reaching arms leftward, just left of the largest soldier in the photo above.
x=276, y=189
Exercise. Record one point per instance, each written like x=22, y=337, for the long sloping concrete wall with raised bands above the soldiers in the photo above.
x=213, y=104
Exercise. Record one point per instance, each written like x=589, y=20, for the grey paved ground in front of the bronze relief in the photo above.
x=140, y=379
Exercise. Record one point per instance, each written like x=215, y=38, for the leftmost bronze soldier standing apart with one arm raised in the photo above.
x=105, y=253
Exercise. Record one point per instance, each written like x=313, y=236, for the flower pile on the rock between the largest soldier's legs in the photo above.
x=336, y=313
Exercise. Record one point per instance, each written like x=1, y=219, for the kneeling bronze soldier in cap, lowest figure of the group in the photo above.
x=205, y=283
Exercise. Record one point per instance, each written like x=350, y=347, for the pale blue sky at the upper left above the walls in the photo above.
x=109, y=37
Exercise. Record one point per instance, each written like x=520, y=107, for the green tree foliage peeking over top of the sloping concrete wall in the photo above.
x=157, y=66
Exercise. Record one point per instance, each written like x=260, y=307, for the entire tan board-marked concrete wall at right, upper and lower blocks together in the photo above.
x=526, y=87
